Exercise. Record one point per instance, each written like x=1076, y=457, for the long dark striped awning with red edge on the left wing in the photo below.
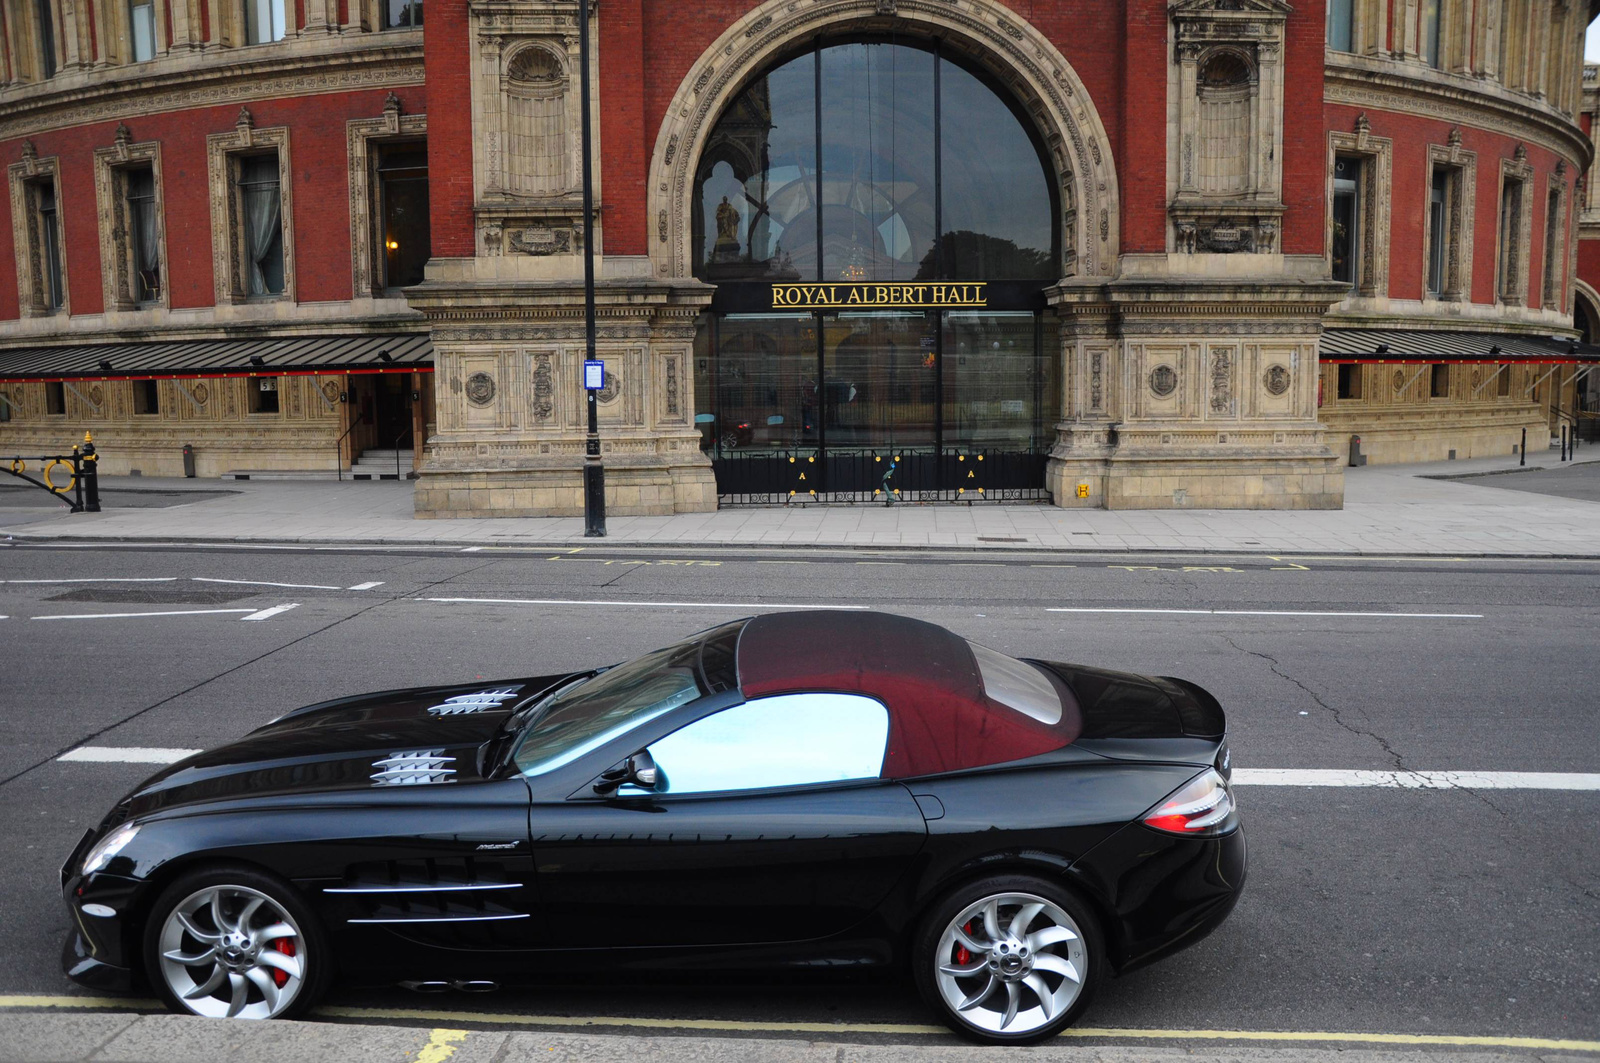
x=188, y=359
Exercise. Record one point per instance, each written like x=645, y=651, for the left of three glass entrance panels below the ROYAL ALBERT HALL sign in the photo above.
x=766, y=385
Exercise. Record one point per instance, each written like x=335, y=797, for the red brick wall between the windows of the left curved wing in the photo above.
x=319, y=185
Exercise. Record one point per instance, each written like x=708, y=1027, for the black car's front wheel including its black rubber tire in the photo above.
x=255, y=949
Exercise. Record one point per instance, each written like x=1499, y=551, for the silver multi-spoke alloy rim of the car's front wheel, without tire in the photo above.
x=230, y=952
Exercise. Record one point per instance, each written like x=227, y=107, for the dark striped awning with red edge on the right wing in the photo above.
x=1414, y=347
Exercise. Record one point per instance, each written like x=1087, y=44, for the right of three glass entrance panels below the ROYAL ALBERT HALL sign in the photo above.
x=999, y=393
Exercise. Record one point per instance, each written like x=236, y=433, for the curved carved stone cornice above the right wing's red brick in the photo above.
x=1478, y=103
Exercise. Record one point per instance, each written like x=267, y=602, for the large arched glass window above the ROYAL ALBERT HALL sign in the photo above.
x=873, y=162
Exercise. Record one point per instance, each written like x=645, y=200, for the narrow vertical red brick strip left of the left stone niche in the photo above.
x=447, y=62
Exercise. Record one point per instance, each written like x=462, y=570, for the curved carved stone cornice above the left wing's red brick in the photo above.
x=214, y=78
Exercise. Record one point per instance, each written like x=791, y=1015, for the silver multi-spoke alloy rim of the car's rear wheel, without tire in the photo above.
x=1010, y=965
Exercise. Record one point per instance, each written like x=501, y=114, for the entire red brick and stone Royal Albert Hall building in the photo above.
x=1114, y=254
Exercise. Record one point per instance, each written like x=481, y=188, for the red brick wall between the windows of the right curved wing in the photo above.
x=1409, y=199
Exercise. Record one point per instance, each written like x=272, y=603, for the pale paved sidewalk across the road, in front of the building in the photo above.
x=1390, y=511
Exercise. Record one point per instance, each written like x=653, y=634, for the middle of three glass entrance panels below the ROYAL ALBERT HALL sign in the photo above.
x=882, y=380
